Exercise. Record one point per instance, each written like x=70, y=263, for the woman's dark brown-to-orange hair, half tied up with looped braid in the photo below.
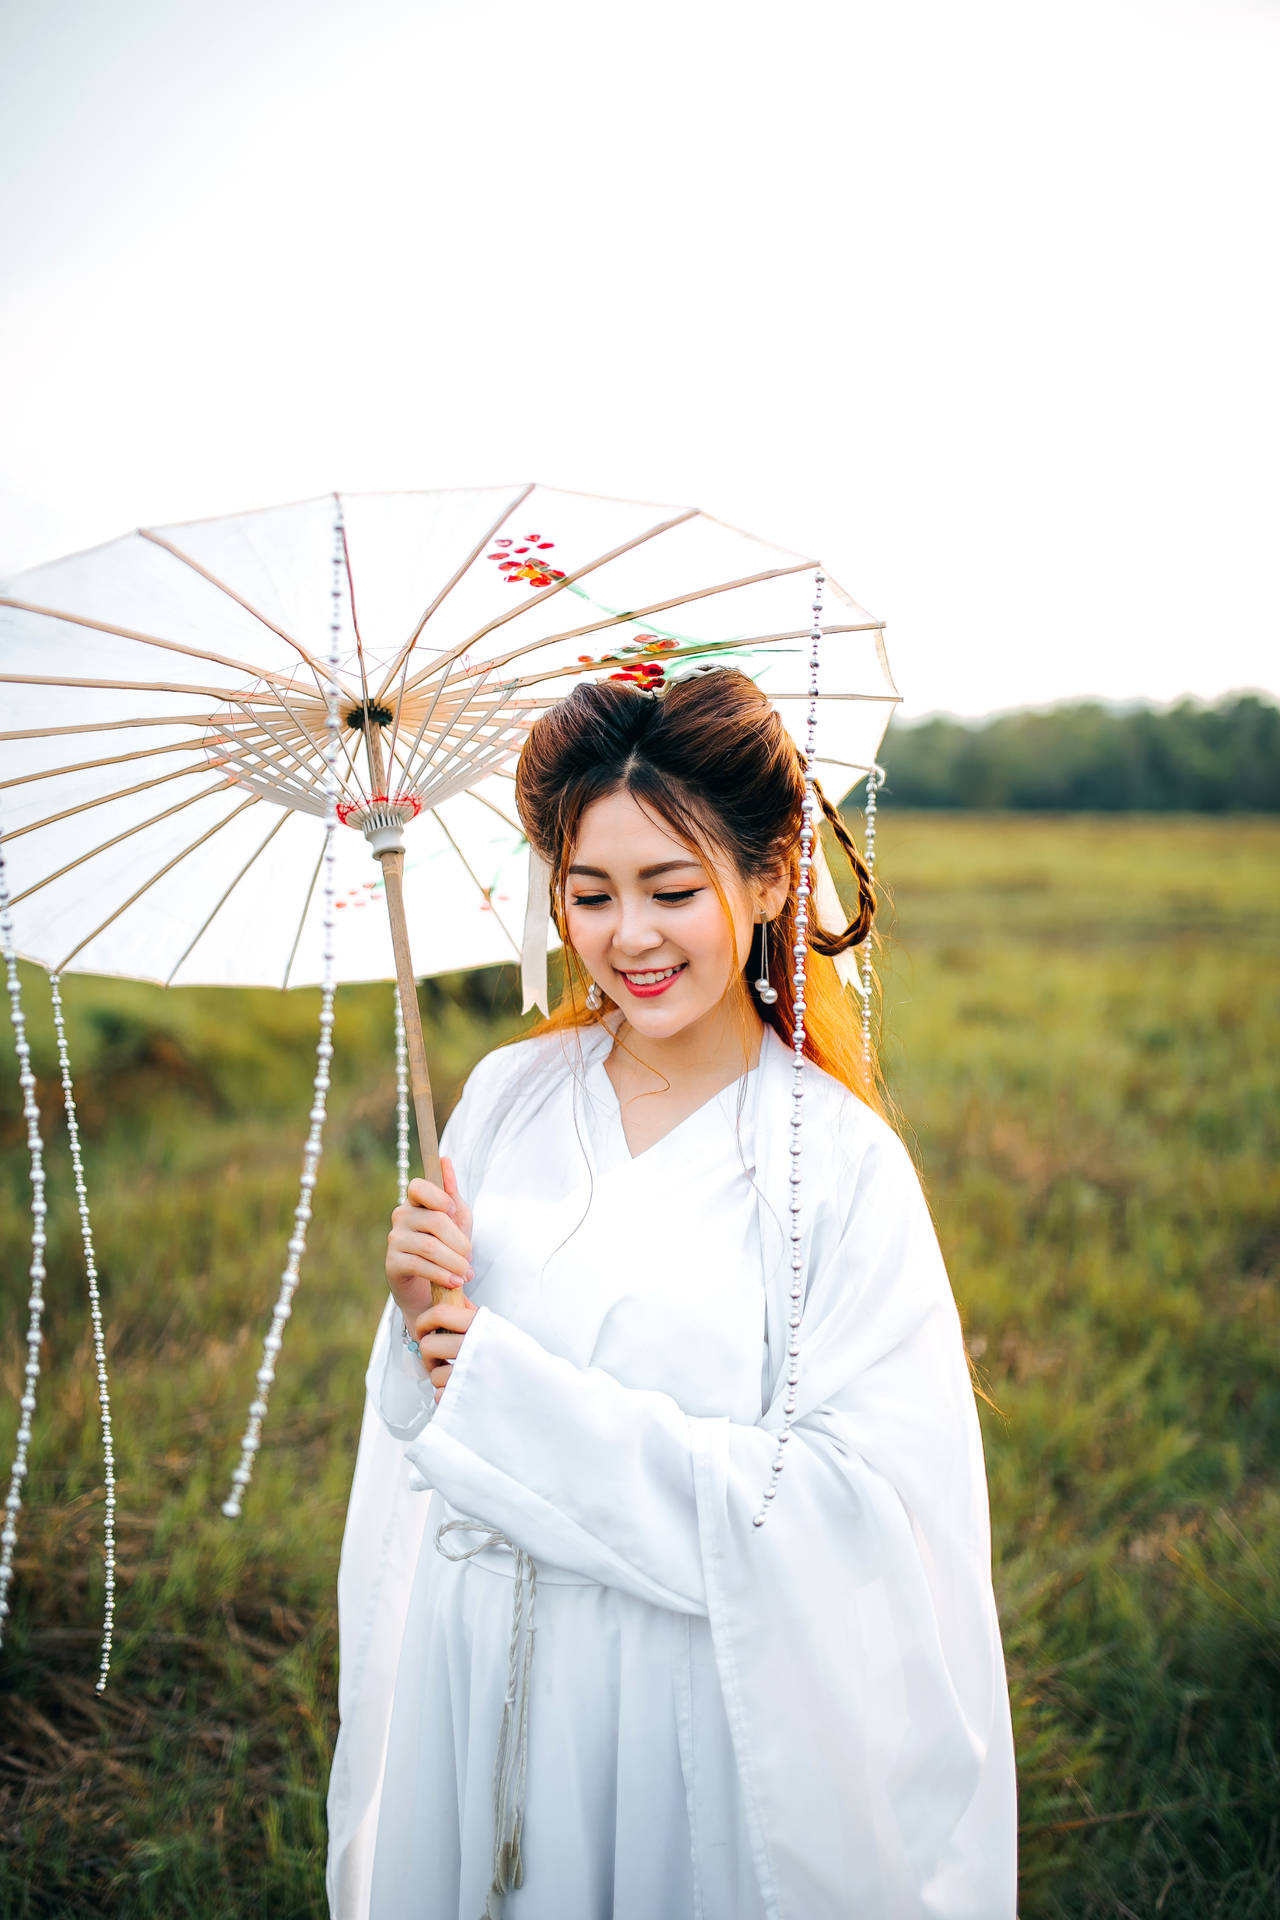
x=713, y=759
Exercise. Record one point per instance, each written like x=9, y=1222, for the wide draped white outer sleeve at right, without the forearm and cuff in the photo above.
x=857, y=1631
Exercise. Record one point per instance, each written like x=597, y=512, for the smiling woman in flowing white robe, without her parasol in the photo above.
x=746, y=1704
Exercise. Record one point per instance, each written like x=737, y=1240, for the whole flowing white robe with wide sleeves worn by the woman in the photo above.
x=799, y=1721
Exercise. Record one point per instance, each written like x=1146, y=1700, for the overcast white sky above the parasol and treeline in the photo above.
x=976, y=302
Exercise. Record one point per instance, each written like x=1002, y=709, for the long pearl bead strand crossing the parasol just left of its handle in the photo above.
x=323, y=1055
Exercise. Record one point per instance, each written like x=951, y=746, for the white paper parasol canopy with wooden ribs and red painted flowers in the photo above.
x=166, y=715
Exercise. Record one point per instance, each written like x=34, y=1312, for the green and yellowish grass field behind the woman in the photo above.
x=1081, y=1030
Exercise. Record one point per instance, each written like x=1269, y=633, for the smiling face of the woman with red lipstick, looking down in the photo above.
x=646, y=919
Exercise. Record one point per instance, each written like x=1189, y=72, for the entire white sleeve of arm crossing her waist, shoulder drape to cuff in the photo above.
x=855, y=1631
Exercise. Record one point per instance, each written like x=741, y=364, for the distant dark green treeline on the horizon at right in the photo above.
x=1095, y=759
